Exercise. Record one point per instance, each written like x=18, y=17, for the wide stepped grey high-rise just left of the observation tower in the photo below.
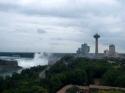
x=84, y=50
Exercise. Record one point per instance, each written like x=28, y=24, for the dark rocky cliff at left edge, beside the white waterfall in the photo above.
x=8, y=66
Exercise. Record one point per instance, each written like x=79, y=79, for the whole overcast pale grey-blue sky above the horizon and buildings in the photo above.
x=61, y=25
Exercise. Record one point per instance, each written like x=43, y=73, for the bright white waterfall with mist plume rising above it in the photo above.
x=39, y=59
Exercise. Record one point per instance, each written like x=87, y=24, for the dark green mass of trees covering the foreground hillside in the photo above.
x=68, y=70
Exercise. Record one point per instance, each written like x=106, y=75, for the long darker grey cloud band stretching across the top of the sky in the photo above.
x=67, y=10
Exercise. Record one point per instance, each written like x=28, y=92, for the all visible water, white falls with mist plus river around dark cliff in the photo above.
x=39, y=59
